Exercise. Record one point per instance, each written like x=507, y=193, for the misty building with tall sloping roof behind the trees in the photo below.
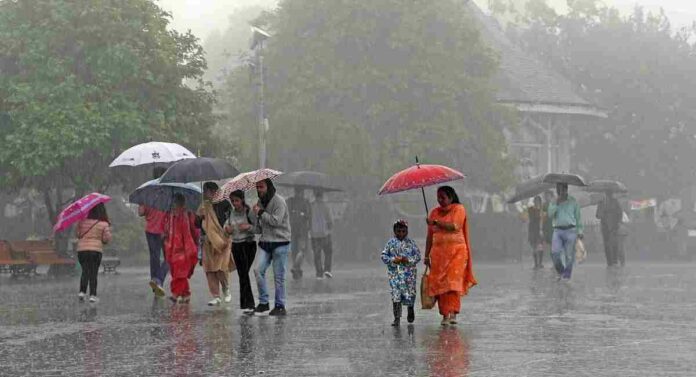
x=551, y=113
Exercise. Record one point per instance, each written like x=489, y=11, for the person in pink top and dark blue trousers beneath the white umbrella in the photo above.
x=154, y=228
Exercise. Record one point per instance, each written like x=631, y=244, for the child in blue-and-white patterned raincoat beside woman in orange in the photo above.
x=401, y=255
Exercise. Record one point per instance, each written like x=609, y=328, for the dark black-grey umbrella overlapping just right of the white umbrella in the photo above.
x=199, y=170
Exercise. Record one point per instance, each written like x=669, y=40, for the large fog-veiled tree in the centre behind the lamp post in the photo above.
x=361, y=87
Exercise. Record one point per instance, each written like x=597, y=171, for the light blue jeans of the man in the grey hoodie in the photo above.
x=279, y=258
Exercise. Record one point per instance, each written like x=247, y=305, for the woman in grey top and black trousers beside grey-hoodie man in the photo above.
x=241, y=225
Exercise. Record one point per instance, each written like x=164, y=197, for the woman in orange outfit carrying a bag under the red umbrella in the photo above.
x=447, y=253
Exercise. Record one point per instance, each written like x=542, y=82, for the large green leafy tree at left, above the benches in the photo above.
x=81, y=81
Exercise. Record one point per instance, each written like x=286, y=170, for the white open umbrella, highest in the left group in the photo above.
x=152, y=153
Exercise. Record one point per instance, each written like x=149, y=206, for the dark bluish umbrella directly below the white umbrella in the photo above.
x=159, y=195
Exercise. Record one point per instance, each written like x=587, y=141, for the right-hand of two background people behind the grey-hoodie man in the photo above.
x=320, y=233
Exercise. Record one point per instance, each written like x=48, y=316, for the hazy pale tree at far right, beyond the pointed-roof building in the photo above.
x=639, y=69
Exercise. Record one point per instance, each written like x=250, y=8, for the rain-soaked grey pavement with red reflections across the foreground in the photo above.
x=634, y=322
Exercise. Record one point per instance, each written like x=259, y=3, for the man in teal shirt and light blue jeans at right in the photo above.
x=567, y=229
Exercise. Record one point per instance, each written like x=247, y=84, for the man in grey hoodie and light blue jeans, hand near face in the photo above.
x=274, y=226
